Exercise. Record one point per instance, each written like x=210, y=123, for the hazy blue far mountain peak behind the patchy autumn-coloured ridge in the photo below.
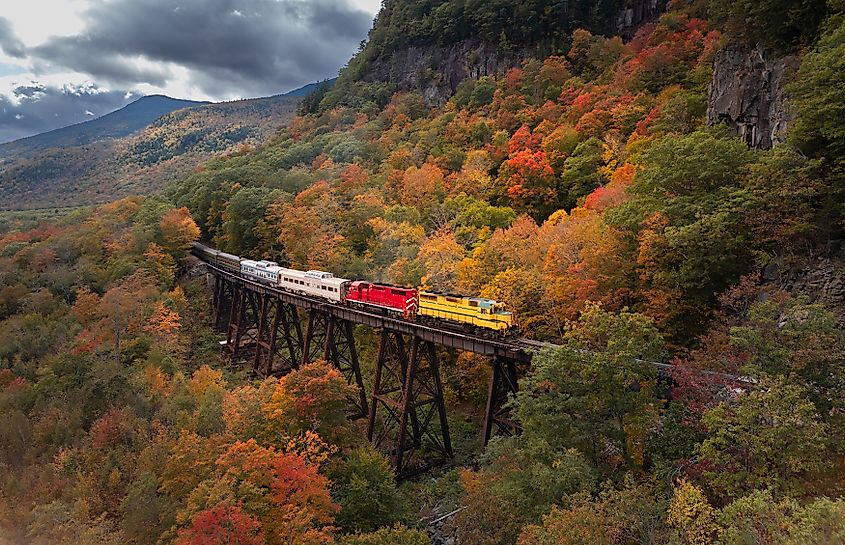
x=132, y=117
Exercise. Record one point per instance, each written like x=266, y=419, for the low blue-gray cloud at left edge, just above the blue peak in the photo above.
x=38, y=108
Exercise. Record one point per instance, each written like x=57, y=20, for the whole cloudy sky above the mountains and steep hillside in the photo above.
x=65, y=61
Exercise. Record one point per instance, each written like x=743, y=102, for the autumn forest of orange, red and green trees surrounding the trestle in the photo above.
x=582, y=187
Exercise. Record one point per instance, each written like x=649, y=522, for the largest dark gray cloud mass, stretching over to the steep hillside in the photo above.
x=240, y=47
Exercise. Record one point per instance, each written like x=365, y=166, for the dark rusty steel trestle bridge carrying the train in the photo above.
x=275, y=331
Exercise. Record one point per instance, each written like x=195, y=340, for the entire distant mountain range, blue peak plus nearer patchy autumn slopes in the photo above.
x=135, y=150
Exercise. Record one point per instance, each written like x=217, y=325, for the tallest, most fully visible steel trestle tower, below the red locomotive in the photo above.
x=409, y=394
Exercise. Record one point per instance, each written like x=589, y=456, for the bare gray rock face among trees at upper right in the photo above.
x=747, y=94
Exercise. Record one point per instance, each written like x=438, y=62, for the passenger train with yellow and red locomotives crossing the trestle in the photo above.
x=468, y=313
